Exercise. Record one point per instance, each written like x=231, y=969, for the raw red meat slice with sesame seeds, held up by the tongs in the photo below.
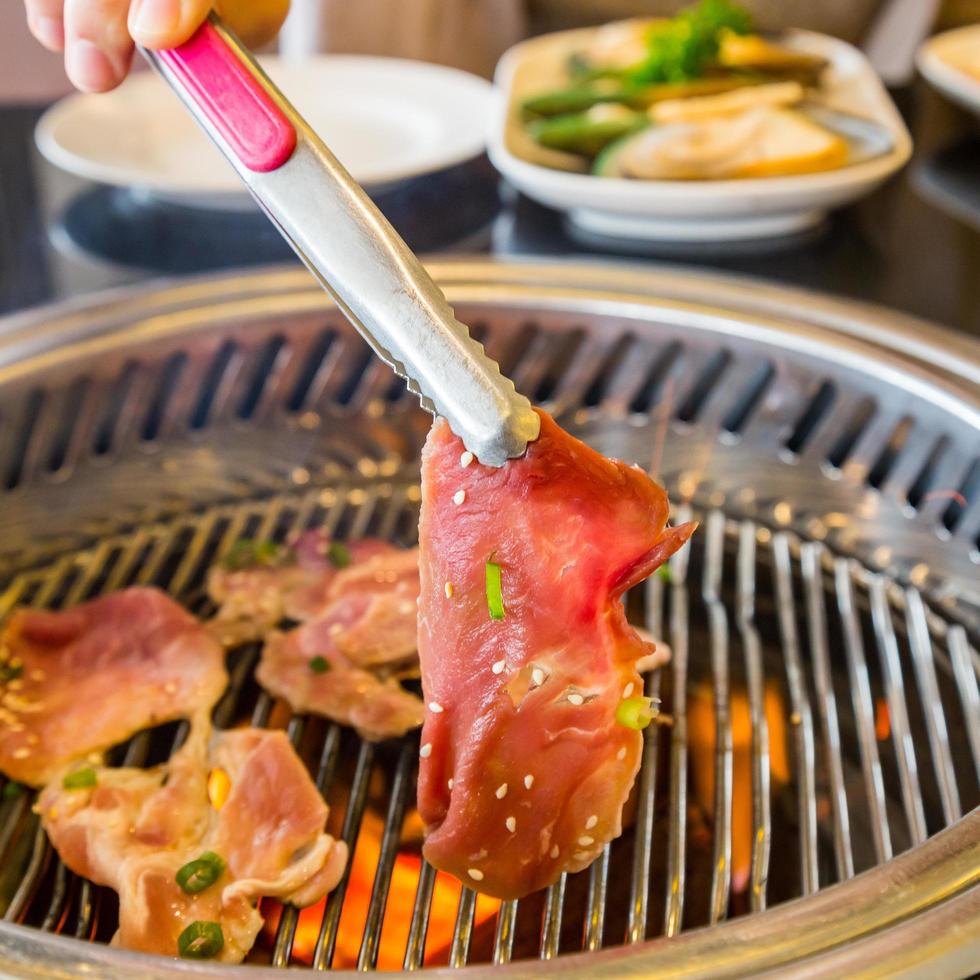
x=528, y=753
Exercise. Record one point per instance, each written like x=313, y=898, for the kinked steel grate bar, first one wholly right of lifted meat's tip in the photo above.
x=722, y=786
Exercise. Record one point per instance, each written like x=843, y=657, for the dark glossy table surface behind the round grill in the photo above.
x=914, y=245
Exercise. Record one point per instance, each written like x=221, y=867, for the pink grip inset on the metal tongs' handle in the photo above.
x=232, y=99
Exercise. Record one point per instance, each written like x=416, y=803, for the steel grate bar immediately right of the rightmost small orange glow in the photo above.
x=891, y=669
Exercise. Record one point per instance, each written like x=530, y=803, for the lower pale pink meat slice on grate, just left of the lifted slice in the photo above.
x=306, y=668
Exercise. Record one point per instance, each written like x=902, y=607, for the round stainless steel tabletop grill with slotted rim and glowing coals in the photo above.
x=810, y=804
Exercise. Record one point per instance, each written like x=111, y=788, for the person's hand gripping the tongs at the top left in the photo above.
x=97, y=35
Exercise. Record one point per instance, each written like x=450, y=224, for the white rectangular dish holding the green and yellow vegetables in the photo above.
x=715, y=210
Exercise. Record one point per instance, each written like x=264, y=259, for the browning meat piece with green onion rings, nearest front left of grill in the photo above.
x=246, y=798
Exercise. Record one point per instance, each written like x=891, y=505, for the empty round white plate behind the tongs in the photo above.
x=387, y=119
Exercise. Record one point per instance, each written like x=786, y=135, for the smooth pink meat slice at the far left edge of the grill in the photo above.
x=79, y=681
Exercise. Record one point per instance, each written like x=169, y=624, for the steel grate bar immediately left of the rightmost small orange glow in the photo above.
x=857, y=668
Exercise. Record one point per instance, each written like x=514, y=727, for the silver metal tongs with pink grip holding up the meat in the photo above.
x=346, y=242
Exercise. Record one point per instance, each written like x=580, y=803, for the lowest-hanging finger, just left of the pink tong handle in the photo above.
x=98, y=48
